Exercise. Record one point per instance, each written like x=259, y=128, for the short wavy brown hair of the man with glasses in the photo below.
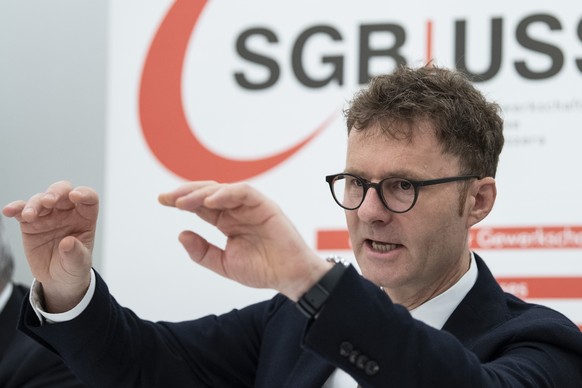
x=465, y=123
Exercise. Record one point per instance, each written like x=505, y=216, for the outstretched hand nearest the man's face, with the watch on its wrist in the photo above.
x=263, y=249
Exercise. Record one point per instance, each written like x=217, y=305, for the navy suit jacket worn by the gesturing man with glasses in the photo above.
x=491, y=340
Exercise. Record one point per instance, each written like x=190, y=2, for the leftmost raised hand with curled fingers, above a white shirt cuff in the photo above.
x=58, y=234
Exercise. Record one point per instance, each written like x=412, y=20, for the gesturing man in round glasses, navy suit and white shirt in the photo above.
x=423, y=147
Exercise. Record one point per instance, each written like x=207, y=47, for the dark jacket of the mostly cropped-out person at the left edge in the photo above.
x=23, y=362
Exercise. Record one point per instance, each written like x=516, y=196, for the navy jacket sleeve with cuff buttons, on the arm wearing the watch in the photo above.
x=379, y=344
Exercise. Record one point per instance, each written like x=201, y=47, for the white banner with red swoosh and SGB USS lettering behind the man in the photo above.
x=253, y=91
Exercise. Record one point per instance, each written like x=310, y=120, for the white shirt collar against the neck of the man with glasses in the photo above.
x=437, y=310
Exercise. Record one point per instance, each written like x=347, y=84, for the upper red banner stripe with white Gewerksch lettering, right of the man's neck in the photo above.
x=531, y=237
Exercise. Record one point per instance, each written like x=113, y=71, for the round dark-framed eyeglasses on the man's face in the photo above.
x=397, y=194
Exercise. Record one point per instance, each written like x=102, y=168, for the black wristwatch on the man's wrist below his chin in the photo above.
x=313, y=300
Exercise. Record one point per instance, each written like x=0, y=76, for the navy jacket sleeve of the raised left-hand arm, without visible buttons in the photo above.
x=109, y=346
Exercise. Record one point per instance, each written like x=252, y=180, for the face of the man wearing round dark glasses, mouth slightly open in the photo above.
x=418, y=254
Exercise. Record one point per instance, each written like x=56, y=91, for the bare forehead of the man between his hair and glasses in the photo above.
x=375, y=154
